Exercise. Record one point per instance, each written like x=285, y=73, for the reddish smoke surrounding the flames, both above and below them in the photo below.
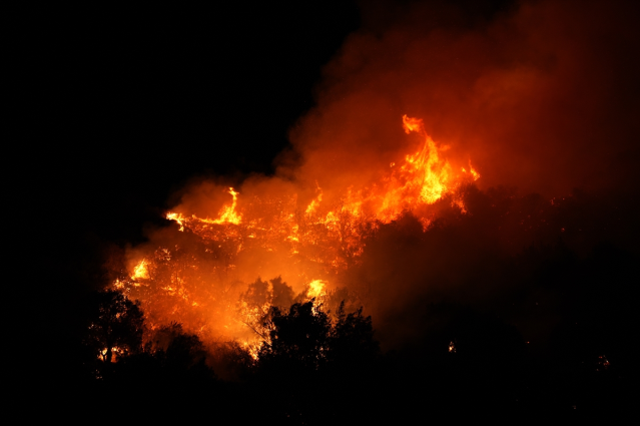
x=541, y=99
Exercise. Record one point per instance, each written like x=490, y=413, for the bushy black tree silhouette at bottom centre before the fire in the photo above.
x=311, y=361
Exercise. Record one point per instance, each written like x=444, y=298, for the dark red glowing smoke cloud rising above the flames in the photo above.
x=542, y=97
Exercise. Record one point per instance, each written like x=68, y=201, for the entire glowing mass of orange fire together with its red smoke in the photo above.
x=357, y=210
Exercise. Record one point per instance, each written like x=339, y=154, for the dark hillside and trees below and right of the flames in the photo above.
x=547, y=331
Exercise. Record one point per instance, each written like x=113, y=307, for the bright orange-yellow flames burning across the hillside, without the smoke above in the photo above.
x=206, y=280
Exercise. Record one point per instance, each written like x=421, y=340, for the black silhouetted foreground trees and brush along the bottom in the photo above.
x=322, y=369
